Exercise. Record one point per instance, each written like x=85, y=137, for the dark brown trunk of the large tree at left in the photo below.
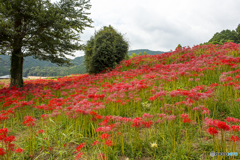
x=17, y=55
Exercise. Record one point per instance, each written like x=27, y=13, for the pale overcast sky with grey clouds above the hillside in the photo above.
x=160, y=25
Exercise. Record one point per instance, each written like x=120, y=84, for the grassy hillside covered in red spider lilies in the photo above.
x=178, y=105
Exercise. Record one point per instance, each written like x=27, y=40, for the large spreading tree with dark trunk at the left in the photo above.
x=44, y=30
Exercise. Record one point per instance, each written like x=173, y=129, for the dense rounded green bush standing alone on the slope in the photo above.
x=105, y=50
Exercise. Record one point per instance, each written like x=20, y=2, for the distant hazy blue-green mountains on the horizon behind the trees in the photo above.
x=35, y=67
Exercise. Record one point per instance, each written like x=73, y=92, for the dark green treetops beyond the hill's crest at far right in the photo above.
x=225, y=36
